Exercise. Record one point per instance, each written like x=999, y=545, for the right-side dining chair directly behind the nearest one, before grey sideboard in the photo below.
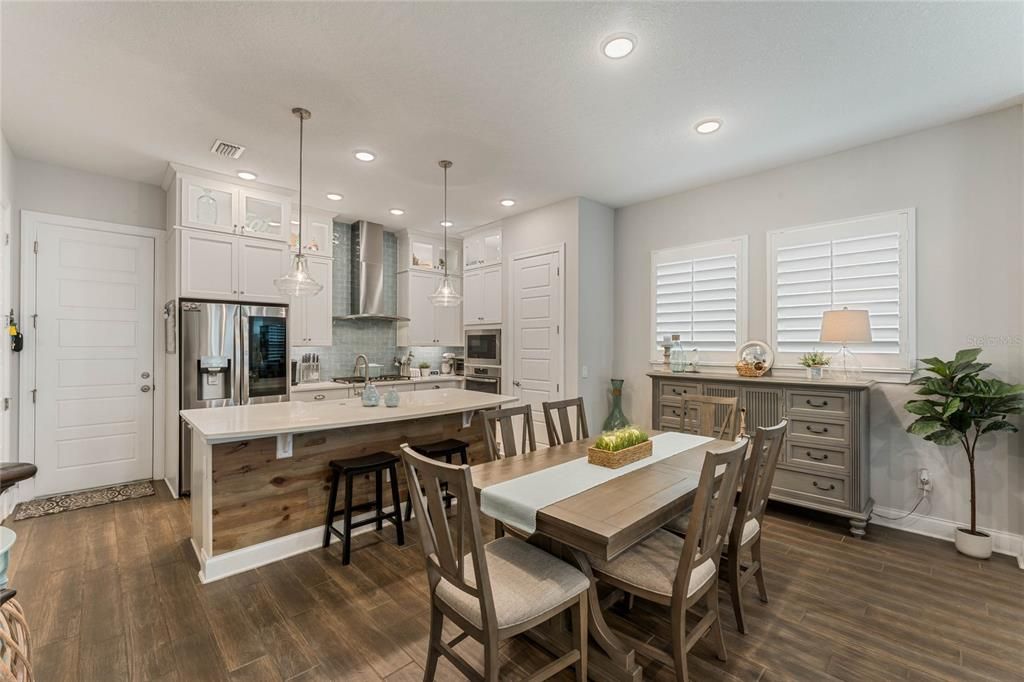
x=745, y=535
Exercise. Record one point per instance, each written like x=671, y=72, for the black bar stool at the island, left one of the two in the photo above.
x=377, y=464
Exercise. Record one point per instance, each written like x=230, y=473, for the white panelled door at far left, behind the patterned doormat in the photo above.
x=94, y=351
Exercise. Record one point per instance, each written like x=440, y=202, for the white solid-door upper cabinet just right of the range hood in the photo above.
x=429, y=325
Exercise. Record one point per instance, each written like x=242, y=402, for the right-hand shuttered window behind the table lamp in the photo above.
x=862, y=264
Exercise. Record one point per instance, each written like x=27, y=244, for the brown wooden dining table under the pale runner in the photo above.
x=603, y=522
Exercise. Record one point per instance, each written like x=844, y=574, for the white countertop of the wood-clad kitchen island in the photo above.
x=252, y=421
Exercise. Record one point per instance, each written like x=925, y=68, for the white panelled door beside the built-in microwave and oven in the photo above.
x=537, y=332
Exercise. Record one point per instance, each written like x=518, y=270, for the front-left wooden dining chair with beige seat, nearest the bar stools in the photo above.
x=491, y=592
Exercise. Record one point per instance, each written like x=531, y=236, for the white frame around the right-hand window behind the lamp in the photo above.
x=909, y=338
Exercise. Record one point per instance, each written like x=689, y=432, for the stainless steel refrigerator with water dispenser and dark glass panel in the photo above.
x=231, y=355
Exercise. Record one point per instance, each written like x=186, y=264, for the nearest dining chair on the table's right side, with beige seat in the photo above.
x=680, y=573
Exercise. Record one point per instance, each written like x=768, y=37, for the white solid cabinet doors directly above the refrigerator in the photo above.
x=226, y=268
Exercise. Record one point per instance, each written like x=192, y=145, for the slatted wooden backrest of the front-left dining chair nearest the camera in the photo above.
x=445, y=541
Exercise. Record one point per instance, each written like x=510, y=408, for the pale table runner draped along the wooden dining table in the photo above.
x=517, y=502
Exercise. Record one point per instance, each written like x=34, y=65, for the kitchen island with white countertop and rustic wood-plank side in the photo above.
x=261, y=476
